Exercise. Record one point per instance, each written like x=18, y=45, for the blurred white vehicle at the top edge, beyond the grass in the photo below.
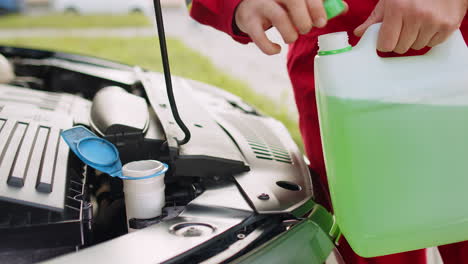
x=103, y=6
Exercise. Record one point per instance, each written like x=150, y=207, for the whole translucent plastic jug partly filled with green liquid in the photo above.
x=395, y=139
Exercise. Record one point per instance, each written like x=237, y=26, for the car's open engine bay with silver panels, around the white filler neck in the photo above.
x=241, y=172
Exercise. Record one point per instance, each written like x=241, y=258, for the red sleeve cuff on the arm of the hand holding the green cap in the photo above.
x=218, y=14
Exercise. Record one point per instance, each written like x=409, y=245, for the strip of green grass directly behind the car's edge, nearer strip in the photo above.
x=185, y=62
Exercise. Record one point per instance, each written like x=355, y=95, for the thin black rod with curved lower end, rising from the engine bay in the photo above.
x=167, y=74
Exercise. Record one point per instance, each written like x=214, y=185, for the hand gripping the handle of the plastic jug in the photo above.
x=414, y=23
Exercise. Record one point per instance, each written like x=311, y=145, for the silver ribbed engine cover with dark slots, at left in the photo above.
x=33, y=159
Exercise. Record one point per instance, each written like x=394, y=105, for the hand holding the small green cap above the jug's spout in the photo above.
x=290, y=17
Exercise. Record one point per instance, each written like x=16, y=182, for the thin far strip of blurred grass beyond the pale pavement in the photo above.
x=66, y=21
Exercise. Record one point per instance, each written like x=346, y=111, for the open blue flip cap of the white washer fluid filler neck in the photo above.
x=93, y=150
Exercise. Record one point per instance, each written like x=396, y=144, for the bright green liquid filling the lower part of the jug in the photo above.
x=398, y=173
